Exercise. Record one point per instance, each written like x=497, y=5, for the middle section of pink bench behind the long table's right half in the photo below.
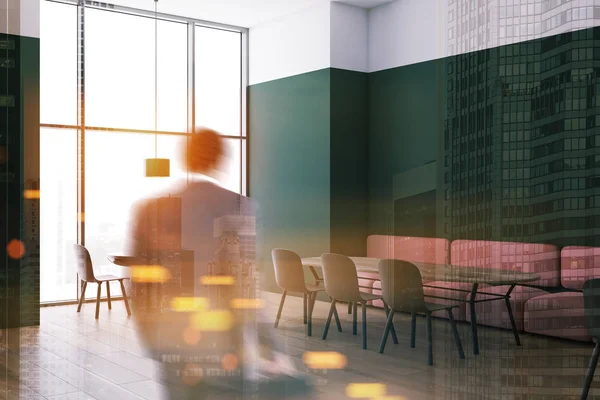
x=541, y=259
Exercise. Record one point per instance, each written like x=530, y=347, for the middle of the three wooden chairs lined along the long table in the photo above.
x=341, y=284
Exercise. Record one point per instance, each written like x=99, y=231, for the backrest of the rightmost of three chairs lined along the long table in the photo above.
x=402, y=285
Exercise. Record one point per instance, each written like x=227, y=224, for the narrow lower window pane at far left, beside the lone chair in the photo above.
x=58, y=213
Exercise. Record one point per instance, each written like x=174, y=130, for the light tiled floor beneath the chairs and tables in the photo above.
x=73, y=356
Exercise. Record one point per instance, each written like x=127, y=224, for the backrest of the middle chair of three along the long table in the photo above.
x=339, y=275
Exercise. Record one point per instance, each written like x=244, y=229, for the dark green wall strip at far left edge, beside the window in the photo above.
x=19, y=143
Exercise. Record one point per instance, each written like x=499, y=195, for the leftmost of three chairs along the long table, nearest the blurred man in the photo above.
x=289, y=275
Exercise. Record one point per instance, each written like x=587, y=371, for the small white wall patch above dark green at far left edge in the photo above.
x=20, y=17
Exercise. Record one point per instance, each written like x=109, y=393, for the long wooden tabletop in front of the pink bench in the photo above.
x=445, y=272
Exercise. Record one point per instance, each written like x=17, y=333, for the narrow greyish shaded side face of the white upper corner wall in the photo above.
x=349, y=37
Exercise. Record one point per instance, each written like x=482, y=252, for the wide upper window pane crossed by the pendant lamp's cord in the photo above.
x=120, y=72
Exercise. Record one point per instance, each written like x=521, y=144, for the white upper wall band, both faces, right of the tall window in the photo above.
x=322, y=36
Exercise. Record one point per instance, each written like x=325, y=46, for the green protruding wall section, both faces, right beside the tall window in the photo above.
x=308, y=164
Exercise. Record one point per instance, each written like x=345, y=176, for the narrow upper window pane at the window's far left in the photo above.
x=58, y=62
